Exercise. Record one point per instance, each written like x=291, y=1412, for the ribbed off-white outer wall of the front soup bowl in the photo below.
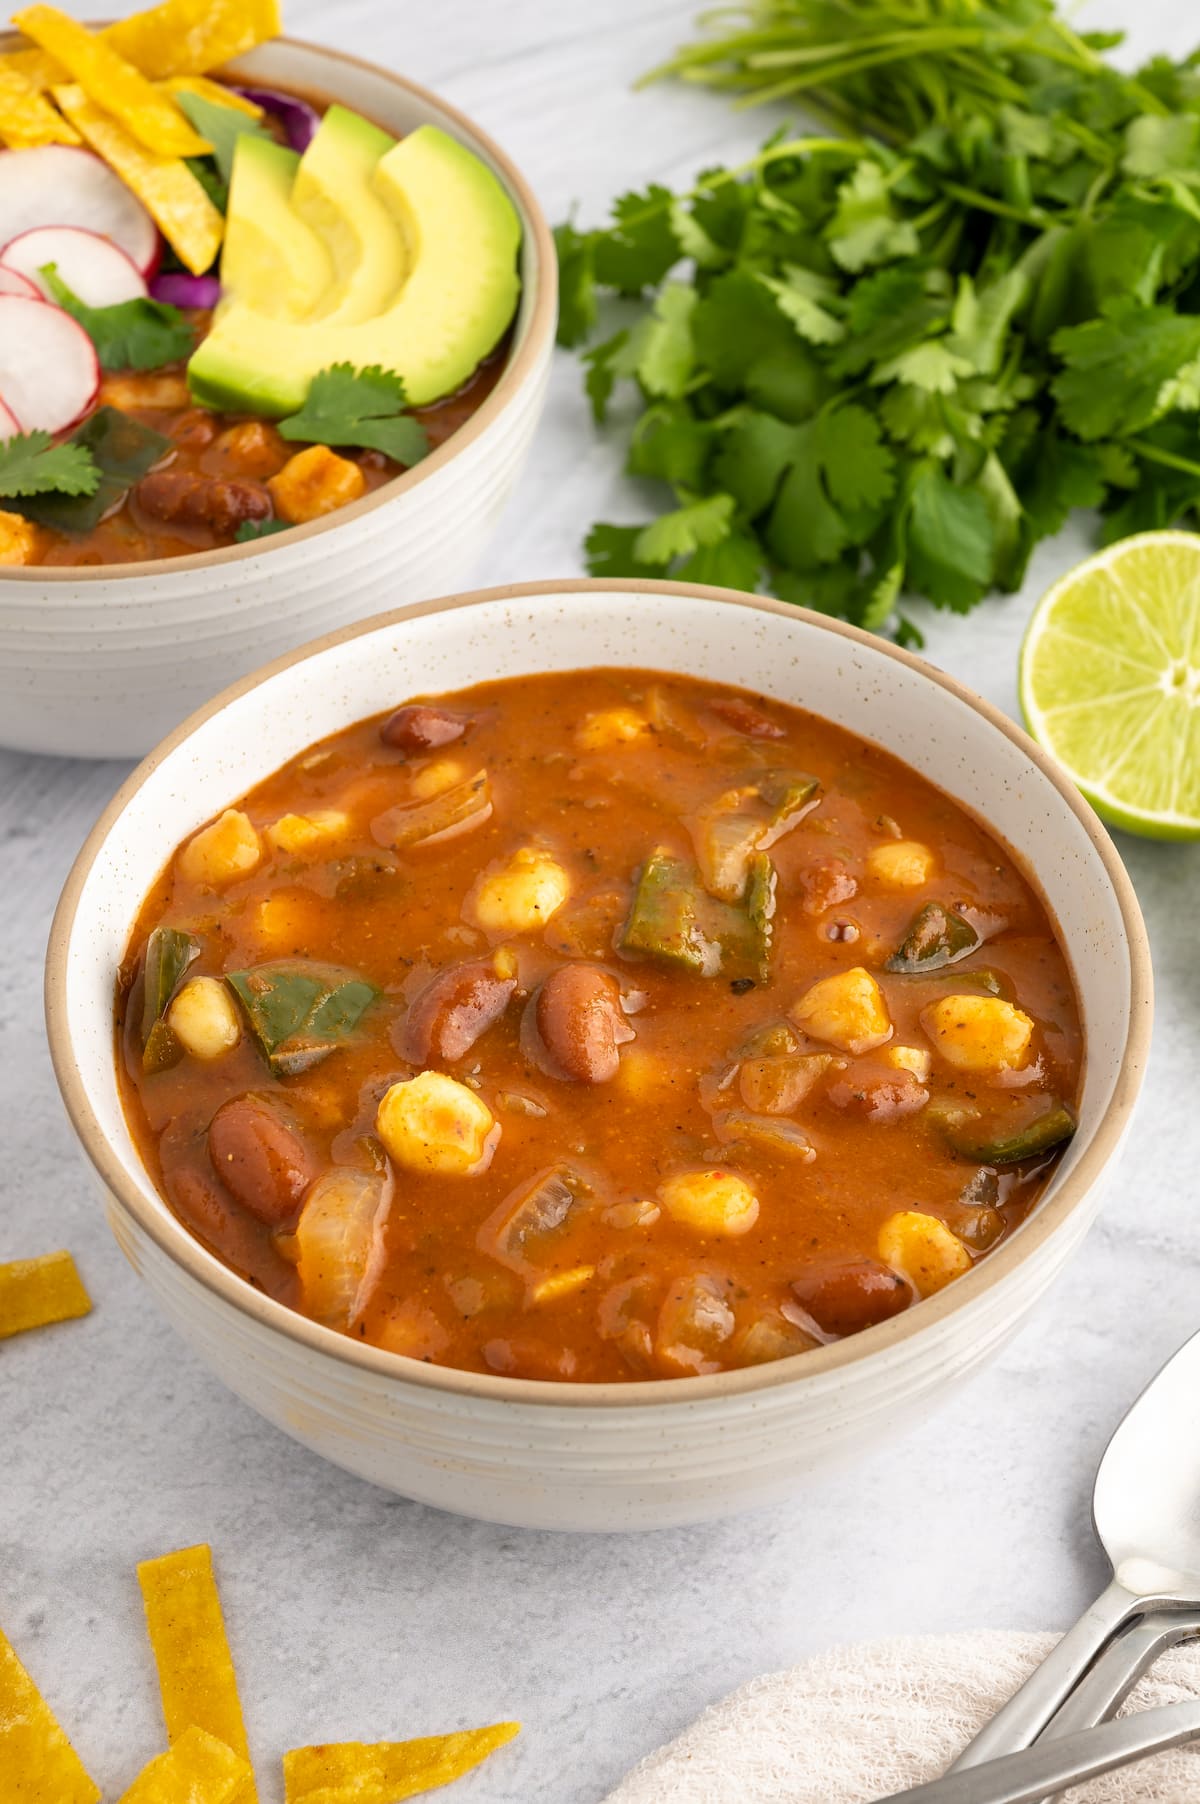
x=589, y=1469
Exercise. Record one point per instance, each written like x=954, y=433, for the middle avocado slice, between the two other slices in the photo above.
x=335, y=198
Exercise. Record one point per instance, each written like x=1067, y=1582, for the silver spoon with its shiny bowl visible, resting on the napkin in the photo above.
x=1147, y=1514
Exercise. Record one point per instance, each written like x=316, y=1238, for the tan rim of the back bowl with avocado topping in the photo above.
x=517, y=371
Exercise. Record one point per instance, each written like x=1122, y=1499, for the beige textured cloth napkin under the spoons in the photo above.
x=863, y=1722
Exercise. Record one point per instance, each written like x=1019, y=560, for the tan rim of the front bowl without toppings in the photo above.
x=185, y=1251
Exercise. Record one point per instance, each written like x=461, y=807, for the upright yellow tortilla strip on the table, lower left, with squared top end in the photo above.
x=192, y=1653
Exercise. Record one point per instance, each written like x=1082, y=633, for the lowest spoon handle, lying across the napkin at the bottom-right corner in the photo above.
x=1057, y=1765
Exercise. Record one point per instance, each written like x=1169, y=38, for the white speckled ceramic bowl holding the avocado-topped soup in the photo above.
x=100, y=663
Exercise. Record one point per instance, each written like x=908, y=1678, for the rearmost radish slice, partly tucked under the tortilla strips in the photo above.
x=57, y=185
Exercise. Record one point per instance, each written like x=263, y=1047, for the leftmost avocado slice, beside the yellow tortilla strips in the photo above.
x=272, y=261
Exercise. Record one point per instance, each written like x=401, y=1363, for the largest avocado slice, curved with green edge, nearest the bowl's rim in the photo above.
x=450, y=311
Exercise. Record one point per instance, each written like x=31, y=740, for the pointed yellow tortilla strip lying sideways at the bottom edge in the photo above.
x=358, y=1772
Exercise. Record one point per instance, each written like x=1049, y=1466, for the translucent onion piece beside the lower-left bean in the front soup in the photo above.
x=340, y=1244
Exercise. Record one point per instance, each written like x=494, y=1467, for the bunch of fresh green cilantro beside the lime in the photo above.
x=892, y=364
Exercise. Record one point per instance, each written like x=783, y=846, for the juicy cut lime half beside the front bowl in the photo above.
x=1111, y=683
